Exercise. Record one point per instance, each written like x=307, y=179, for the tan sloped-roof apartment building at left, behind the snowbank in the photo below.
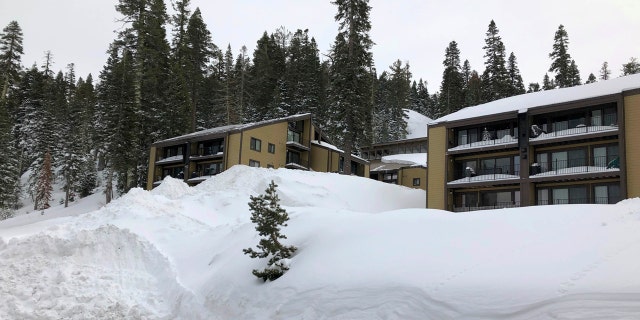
x=291, y=142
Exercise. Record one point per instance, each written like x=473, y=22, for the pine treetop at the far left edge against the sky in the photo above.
x=11, y=51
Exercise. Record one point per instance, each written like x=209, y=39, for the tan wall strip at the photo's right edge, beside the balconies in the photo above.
x=632, y=143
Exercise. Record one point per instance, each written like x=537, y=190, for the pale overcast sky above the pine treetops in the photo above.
x=417, y=31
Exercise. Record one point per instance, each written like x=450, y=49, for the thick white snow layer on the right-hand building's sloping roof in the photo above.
x=522, y=103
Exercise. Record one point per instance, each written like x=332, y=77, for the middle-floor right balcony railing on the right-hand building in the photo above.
x=574, y=166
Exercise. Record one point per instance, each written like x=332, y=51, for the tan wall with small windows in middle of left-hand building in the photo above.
x=276, y=134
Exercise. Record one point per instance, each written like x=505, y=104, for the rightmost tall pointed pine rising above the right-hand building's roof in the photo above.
x=565, y=69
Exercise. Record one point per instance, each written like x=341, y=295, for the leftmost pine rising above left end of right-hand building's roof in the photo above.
x=451, y=97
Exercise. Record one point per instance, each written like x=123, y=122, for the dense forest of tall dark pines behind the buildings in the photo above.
x=165, y=76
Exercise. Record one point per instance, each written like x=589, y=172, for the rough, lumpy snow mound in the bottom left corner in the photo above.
x=101, y=273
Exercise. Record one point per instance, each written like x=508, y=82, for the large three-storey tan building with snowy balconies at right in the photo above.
x=570, y=145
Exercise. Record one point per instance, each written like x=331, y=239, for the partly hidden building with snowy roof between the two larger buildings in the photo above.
x=401, y=162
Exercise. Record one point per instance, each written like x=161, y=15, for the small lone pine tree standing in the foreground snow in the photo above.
x=269, y=217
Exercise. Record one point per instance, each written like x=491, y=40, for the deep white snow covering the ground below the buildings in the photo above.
x=366, y=250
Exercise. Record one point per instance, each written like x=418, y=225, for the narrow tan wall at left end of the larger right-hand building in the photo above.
x=437, y=168
